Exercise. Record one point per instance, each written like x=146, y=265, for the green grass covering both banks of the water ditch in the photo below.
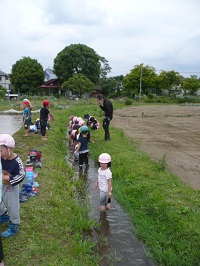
x=164, y=210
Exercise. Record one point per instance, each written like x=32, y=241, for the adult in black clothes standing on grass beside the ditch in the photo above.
x=107, y=107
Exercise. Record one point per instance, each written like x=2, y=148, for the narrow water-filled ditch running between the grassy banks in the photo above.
x=116, y=242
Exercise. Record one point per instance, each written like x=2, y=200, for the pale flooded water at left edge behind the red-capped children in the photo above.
x=9, y=124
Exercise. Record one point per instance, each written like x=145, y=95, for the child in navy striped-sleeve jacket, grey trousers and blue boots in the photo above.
x=13, y=175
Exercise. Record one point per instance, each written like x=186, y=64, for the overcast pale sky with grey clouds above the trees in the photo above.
x=164, y=34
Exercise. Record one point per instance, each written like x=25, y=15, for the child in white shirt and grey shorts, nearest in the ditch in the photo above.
x=104, y=181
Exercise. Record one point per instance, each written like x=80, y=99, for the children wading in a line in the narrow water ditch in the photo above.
x=79, y=138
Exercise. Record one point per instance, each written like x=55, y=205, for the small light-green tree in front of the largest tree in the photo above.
x=78, y=84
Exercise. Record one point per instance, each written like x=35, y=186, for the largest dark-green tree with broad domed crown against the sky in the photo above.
x=80, y=59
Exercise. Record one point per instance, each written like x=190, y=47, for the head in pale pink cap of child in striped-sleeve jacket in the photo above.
x=7, y=143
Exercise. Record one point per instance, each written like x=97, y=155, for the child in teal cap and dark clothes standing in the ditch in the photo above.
x=82, y=148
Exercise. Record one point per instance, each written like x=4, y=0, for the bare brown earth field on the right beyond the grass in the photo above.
x=172, y=131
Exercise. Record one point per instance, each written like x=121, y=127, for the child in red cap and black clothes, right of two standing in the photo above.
x=44, y=117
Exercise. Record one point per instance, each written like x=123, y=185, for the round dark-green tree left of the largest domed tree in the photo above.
x=26, y=75
